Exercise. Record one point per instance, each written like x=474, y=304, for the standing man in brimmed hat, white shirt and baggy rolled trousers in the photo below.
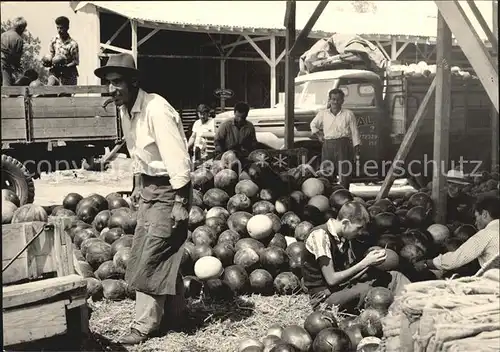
x=157, y=145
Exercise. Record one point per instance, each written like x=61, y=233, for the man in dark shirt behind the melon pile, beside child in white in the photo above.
x=236, y=134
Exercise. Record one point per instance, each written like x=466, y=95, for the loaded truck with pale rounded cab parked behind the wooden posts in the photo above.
x=384, y=104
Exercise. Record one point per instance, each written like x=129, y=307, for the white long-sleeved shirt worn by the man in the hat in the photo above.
x=155, y=139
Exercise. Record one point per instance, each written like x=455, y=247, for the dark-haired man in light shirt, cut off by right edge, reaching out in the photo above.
x=483, y=246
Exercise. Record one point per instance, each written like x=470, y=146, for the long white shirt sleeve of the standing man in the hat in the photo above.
x=171, y=145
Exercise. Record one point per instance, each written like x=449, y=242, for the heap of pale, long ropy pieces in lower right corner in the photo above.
x=446, y=315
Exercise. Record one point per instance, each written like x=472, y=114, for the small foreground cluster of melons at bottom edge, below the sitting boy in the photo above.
x=323, y=331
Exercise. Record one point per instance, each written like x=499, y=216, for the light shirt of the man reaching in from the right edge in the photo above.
x=483, y=246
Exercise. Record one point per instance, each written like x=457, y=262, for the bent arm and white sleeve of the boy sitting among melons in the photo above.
x=318, y=243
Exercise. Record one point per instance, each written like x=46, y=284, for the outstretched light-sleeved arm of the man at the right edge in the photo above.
x=466, y=253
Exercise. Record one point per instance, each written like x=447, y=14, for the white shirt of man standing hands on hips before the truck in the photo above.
x=336, y=126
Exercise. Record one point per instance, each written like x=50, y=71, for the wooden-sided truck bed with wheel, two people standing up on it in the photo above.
x=52, y=128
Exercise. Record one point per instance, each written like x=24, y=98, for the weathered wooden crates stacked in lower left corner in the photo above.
x=41, y=307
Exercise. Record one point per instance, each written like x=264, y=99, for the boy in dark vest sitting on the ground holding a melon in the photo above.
x=331, y=272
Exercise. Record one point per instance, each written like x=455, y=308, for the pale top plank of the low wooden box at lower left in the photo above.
x=22, y=294
